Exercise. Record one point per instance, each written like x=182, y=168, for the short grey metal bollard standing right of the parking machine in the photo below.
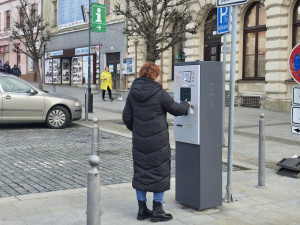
x=261, y=159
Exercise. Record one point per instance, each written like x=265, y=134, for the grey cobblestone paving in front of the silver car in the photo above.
x=36, y=159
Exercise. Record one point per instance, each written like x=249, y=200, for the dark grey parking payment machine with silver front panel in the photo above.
x=198, y=135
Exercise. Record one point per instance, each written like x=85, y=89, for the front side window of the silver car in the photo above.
x=10, y=84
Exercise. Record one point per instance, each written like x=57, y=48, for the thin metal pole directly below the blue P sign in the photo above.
x=223, y=88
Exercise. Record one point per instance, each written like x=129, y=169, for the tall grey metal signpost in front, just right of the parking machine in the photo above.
x=228, y=196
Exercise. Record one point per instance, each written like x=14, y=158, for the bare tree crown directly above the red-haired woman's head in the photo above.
x=158, y=21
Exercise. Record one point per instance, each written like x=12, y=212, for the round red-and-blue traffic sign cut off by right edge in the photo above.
x=294, y=63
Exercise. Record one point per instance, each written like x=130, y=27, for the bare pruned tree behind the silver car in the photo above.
x=30, y=31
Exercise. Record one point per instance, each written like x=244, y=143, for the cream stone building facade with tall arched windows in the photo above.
x=267, y=32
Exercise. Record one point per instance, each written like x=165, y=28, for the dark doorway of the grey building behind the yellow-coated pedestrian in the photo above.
x=113, y=63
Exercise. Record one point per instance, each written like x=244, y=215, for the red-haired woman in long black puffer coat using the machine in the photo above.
x=145, y=114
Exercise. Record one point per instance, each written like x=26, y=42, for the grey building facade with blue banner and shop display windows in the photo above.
x=66, y=61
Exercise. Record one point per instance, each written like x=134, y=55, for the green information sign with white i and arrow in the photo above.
x=98, y=17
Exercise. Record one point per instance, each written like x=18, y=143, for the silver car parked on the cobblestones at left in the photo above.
x=20, y=102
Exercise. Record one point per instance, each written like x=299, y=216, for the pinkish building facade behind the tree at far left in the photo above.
x=8, y=15
